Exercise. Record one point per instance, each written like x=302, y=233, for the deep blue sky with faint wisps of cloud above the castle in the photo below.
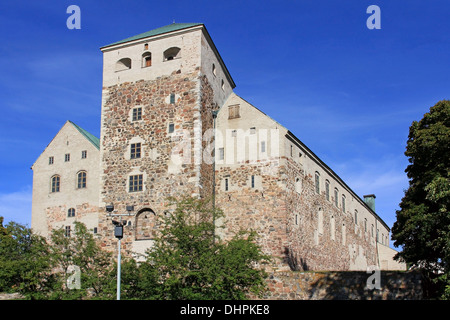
x=349, y=93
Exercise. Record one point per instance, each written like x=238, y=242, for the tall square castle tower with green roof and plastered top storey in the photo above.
x=160, y=89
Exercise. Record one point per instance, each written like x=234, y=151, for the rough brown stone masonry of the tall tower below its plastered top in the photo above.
x=170, y=162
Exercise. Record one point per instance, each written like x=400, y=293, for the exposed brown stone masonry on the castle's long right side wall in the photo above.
x=321, y=237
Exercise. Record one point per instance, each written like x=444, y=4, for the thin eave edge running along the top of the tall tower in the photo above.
x=186, y=29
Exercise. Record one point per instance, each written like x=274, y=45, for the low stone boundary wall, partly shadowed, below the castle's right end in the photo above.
x=351, y=285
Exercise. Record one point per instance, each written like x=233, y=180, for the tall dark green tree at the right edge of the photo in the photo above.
x=423, y=221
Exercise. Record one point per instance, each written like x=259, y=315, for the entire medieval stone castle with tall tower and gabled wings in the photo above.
x=171, y=125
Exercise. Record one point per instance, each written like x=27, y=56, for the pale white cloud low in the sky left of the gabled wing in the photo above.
x=16, y=206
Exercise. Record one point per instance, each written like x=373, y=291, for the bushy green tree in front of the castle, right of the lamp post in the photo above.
x=188, y=260
